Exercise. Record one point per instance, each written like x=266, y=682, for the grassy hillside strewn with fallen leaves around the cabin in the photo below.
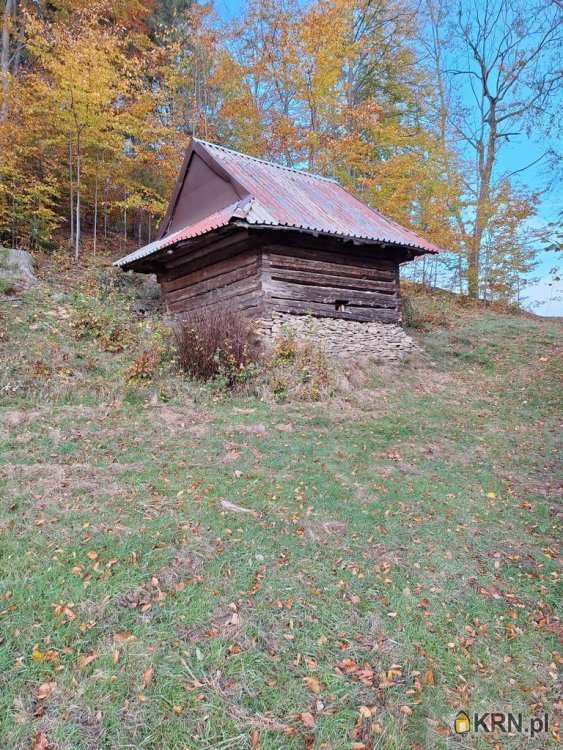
x=188, y=568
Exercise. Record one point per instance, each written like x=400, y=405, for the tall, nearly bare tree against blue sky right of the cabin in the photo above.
x=502, y=59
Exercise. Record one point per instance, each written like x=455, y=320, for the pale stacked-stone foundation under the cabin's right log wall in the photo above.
x=383, y=341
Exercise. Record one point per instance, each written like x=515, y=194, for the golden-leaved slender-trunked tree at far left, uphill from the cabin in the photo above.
x=85, y=129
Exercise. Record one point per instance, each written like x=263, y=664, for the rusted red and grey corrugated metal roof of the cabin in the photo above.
x=272, y=195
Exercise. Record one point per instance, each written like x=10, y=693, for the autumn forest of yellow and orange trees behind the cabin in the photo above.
x=409, y=104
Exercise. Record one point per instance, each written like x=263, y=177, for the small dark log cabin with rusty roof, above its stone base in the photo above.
x=269, y=239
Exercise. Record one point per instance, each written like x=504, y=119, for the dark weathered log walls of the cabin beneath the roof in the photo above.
x=263, y=278
